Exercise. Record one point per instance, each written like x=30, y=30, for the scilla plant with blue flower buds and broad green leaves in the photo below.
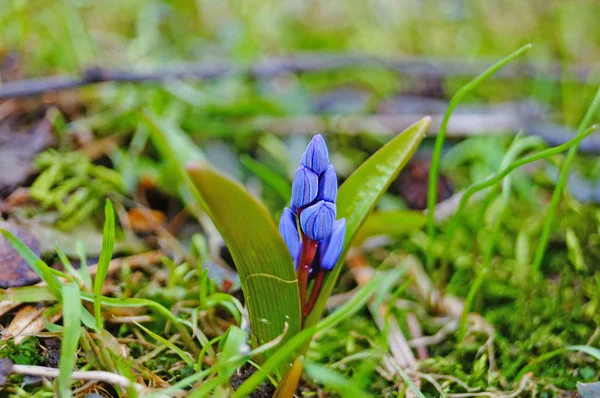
x=287, y=277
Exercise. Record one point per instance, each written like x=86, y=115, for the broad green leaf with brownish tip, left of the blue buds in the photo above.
x=263, y=262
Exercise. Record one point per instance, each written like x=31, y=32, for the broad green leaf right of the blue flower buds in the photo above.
x=361, y=191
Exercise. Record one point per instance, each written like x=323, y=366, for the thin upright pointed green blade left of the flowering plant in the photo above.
x=108, y=244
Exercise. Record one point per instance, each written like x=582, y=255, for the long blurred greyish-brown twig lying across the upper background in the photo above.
x=413, y=67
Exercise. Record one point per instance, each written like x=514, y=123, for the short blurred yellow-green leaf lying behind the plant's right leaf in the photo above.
x=390, y=223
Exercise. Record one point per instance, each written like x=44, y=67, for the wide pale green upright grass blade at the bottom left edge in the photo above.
x=70, y=338
